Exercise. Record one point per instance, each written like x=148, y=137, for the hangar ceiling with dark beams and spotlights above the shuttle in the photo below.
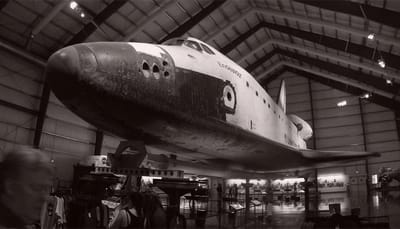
x=324, y=40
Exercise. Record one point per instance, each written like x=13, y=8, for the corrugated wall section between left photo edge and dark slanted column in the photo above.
x=19, y=85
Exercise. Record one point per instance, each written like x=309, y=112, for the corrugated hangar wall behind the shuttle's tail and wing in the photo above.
x=340, y=128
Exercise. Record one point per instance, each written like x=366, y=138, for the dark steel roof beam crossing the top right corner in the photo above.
x=373, y=13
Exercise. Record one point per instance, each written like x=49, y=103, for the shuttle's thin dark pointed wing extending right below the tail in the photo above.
x=328, y=156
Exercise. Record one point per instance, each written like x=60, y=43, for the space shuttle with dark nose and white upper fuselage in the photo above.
x=183, y=96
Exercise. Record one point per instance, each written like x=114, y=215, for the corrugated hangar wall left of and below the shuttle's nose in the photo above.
x=66, y=137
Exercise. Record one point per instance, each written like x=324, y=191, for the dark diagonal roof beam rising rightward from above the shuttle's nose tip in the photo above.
x=89, y=28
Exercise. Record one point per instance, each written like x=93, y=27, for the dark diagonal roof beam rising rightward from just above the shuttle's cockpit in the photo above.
x=189, y=24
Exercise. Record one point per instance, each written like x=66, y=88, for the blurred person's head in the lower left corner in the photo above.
x=25, y=183
